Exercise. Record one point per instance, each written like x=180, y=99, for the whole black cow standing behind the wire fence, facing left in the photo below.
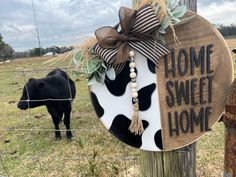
x=54, y=91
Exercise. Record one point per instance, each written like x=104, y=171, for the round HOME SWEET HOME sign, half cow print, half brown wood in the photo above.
x=179, y=101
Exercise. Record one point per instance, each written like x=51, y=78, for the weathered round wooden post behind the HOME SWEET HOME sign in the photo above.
x=178, y=163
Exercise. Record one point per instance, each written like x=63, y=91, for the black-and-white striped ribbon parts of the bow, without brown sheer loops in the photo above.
x=146, y=22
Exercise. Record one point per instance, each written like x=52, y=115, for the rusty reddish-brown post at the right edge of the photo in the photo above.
x=230, y=133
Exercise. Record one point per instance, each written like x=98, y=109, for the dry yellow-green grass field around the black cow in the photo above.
x=28, y=148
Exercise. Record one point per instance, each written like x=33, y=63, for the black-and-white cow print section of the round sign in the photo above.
x=113, y=104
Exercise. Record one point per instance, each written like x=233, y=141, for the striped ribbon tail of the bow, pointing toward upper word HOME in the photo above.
x=151, y=49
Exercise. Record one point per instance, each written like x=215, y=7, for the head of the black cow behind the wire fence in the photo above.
x=32, y=94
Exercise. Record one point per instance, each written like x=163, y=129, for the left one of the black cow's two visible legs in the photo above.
x=56, y=118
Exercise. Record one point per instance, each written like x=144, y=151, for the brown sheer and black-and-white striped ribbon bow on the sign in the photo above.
x=137, y=32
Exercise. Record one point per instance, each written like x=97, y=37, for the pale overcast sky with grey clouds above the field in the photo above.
x=67, y=22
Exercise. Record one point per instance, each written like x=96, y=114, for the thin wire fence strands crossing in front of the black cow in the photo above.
x=78, y=157
